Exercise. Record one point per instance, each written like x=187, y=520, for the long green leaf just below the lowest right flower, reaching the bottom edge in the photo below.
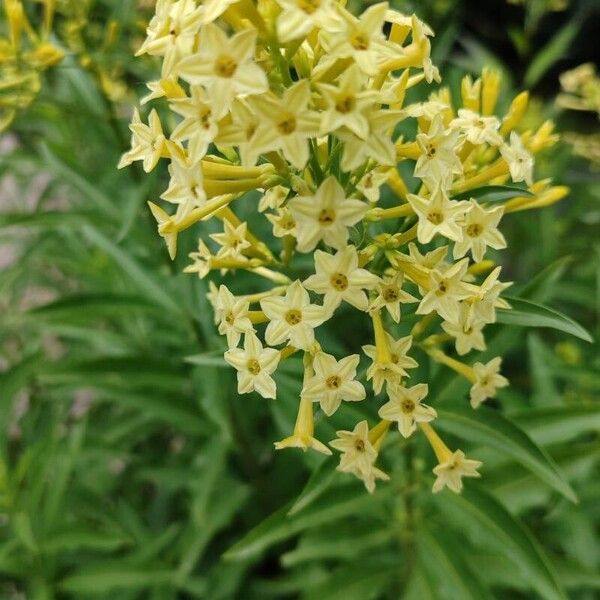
x=479, y=512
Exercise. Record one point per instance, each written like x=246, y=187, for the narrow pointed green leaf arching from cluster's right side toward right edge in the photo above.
x=531, y=314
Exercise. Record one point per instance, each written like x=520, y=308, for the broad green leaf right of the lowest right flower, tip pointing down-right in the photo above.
x=489, y=428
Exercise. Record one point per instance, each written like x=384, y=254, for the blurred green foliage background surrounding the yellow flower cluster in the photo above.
x=130, y=468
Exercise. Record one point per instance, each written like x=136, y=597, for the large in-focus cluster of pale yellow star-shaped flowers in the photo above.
x=307, y=104
